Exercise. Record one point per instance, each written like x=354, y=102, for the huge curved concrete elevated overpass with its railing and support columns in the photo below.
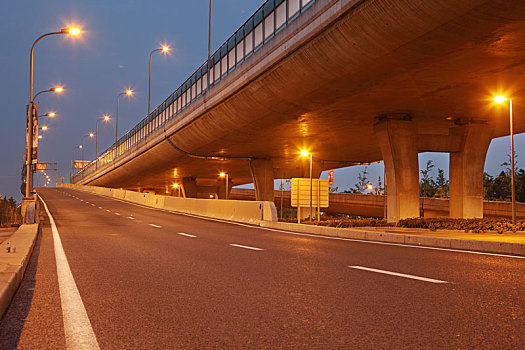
x=353, y=81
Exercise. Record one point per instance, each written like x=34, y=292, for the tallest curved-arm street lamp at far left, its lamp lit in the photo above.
x=30, y=108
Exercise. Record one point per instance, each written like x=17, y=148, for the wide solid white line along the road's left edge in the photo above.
x=77, y=327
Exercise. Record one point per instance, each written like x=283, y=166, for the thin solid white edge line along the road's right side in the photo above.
x=403, y=245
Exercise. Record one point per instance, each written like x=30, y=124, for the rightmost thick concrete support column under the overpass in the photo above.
x=466, y=171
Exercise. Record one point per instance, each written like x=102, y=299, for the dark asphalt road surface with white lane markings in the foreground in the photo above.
x=150, y=279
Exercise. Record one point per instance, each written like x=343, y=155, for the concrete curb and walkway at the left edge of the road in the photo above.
x=13, y=265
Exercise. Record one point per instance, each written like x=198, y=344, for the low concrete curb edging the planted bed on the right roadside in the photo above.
x=429, y=241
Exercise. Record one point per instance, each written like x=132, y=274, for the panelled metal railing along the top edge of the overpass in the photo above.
x=269, y=19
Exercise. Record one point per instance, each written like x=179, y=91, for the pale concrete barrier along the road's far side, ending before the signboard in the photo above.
x=251, y=212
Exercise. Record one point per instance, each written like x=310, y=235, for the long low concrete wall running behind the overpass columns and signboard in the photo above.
x=373, y=206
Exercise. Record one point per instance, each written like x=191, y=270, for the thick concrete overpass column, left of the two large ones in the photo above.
x=398, y=142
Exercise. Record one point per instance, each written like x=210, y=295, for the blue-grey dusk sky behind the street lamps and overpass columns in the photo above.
x=109, y=56
